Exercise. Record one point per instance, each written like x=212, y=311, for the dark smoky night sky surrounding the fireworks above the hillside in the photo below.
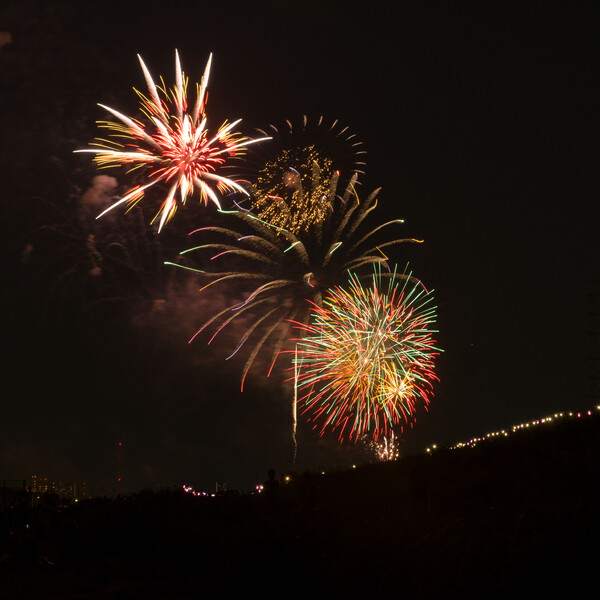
x=481, y=125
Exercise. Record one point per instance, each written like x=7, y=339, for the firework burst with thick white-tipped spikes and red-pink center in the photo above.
x=173, y=147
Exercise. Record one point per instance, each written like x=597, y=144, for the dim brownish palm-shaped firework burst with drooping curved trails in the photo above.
x=285, y=270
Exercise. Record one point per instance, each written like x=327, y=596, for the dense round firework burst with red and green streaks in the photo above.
x=366, y=358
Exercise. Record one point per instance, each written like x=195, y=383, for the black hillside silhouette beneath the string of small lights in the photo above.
x=513, y=514
